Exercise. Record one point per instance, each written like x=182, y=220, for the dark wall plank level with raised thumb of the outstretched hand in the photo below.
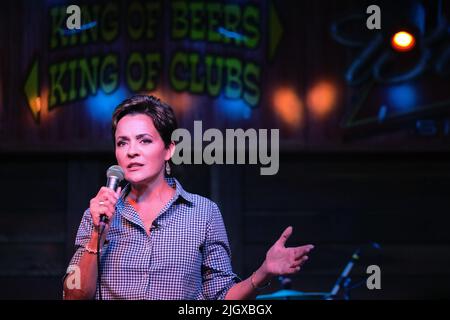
x=346, y=228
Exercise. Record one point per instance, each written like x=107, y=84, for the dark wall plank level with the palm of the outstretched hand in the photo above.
x=393, y=260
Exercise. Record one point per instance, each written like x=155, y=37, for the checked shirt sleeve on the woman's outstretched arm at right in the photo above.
x=218, y=276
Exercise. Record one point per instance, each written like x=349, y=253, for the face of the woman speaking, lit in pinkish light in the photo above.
x=140, y=150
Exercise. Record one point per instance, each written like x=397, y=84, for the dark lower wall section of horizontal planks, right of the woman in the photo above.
x=345, y=201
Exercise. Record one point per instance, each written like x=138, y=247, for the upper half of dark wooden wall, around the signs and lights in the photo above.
x=306, y=55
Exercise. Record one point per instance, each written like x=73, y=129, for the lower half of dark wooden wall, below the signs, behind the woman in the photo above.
x=338, y=202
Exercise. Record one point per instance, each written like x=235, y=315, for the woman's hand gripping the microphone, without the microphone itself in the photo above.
x=104, y=203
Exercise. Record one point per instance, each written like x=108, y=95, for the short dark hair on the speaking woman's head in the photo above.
x=160, y=112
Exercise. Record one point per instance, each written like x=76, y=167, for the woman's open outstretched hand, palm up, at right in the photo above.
x=283, y=261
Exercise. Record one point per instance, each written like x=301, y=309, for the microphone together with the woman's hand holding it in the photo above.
x=102, y=206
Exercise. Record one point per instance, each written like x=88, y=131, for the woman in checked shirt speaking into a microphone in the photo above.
x=160, y=241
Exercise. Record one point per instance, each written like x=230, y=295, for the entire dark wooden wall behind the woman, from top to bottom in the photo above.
x=339, y=200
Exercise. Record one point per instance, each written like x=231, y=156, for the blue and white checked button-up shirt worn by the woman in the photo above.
x=187, y=255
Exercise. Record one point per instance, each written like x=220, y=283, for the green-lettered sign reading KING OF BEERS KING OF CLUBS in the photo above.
x=212, y=49
